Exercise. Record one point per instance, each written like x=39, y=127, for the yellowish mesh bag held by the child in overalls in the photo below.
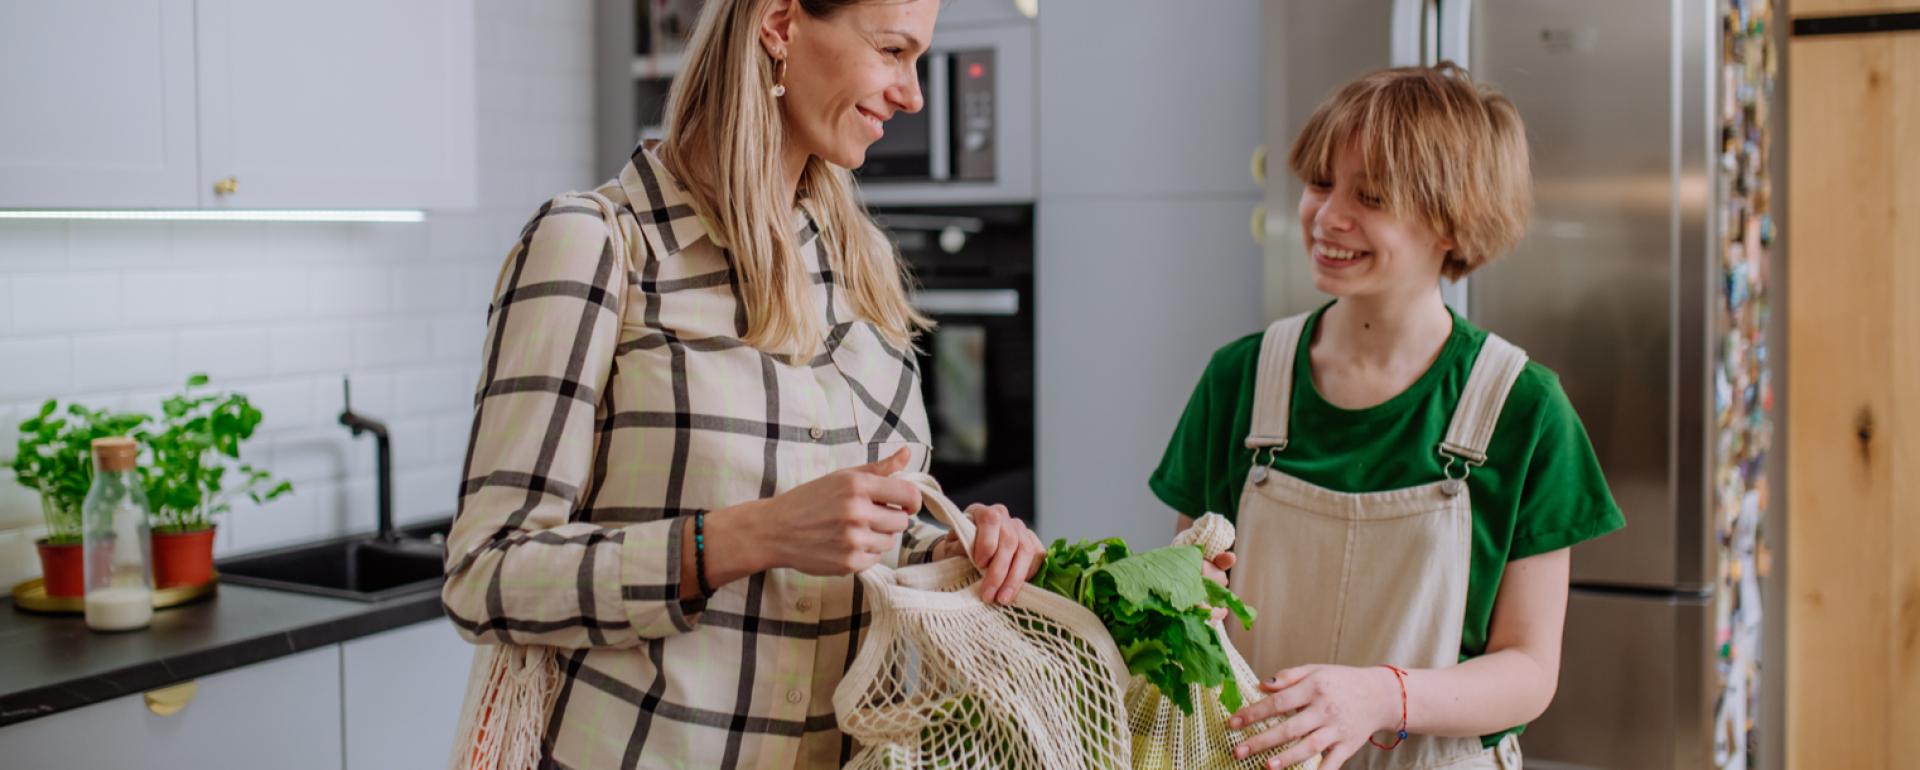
x=1166, y=738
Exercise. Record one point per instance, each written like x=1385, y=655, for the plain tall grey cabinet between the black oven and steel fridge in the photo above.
x=1149, y=116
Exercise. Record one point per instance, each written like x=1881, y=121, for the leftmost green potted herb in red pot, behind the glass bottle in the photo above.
x=55, y=460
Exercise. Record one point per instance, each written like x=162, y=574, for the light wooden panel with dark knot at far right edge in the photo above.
x=1854, y=427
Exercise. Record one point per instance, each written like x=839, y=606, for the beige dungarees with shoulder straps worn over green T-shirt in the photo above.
x=1366, y=579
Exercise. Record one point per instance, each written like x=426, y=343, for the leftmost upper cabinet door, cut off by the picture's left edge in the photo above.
x=97, y=105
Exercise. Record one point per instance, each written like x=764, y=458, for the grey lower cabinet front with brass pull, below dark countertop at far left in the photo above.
x=281, y=713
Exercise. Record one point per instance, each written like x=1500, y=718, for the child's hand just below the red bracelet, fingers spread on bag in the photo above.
x=1339, y=708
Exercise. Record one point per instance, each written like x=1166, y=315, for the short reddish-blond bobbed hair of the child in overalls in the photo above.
x=1439, y=149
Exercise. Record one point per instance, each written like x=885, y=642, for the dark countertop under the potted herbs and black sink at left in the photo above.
x=55, y=663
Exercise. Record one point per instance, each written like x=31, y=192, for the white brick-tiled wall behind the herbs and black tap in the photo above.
x=118, y=314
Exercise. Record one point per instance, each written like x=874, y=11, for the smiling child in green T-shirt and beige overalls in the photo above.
x=1406, y=487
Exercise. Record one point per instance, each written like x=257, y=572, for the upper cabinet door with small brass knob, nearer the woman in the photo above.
x=364, y=105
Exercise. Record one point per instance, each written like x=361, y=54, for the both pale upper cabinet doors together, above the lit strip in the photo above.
x=239, y=105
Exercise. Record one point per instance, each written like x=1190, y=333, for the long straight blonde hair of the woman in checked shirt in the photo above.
x=725, y=141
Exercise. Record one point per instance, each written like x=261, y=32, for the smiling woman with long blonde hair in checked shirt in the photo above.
x=698, y=381
